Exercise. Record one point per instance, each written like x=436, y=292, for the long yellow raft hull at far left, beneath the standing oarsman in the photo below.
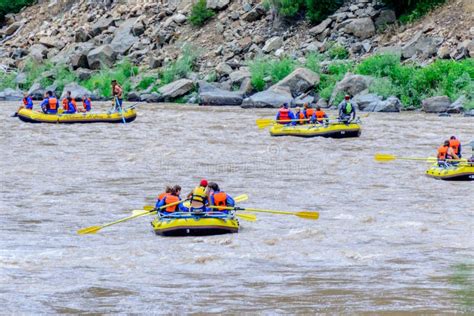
x=31, y=116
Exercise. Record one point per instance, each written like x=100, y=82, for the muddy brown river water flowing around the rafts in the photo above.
x=389, y=239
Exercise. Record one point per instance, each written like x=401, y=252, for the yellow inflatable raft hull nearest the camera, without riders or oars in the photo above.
x=189, y=224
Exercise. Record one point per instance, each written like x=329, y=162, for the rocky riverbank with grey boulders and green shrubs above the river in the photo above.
x=246, y=55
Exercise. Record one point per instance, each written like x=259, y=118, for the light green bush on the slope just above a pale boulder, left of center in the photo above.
x=181, y=67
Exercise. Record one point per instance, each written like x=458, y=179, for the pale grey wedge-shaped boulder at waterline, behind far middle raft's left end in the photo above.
x=271, y=98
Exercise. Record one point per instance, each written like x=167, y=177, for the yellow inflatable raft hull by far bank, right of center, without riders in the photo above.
x=335, y=130
